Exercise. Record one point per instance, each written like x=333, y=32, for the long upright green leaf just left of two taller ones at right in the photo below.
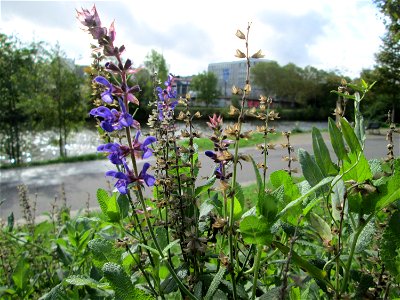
x=321, y=154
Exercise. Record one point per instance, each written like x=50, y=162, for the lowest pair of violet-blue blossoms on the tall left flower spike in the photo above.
x=127, y=178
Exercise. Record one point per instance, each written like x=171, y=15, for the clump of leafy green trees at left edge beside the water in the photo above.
x=39, y=90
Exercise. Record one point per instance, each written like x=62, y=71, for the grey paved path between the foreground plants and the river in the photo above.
x=81, y=180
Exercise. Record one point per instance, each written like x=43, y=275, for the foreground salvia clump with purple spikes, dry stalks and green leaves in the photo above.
x=202, y=239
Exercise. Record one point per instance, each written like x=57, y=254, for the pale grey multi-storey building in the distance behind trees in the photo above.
x=234, y=73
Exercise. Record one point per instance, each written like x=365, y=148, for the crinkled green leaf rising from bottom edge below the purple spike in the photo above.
x=121, y=284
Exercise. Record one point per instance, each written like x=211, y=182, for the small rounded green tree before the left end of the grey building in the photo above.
x=205, y=84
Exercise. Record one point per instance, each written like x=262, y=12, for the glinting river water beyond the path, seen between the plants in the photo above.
x=44, y=145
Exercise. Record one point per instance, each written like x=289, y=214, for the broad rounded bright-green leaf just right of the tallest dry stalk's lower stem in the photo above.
x=255, y=230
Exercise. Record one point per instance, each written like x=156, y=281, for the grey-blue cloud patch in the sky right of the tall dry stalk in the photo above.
x=292, y=35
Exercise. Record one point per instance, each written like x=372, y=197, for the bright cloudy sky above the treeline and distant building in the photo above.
x=332, y=35
